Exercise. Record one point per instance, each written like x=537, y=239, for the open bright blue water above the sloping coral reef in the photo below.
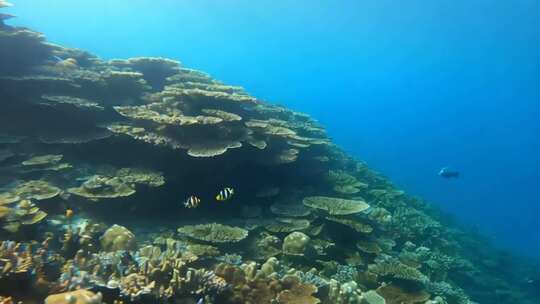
x=409, y=88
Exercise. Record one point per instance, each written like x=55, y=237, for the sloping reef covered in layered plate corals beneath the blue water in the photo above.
x=98, y=158
